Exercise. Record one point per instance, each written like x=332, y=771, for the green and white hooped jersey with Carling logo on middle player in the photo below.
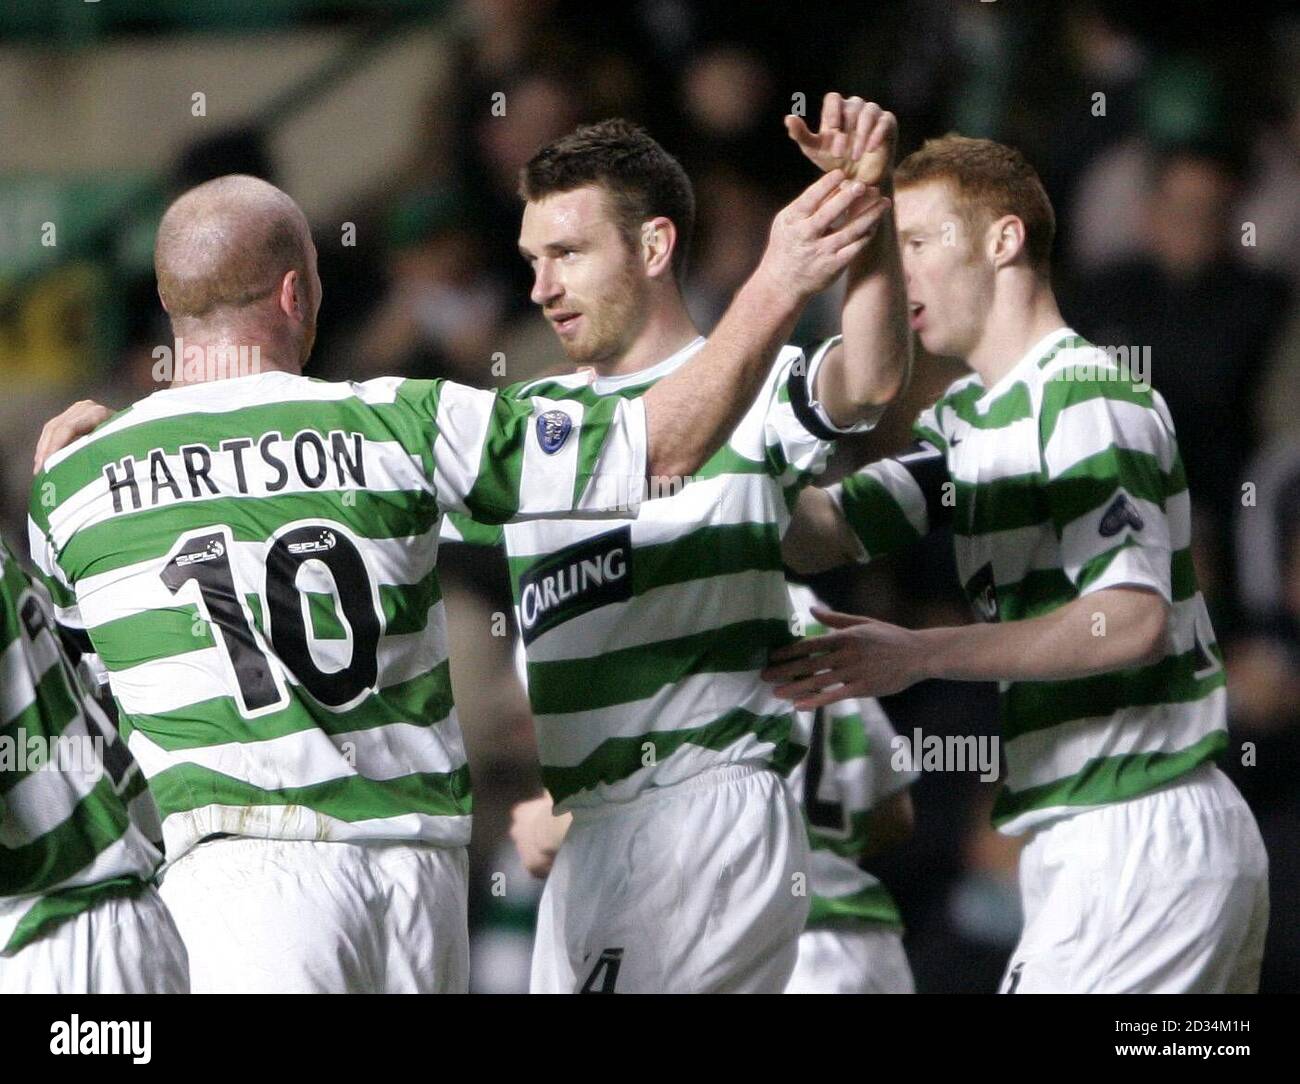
x=645, y=639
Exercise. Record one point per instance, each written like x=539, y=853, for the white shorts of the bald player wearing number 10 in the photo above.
x=306, y=917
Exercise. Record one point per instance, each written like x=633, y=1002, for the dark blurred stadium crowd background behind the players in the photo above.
x=1168, y=137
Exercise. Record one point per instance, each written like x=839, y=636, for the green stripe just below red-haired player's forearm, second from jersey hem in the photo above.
x=1029, y=706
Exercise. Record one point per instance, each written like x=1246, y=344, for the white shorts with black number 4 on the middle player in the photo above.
x=695, y=888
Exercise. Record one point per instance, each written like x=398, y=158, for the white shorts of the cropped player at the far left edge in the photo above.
x=122, y=946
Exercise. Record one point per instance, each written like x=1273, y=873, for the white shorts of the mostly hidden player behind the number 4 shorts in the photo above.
x=864, y=959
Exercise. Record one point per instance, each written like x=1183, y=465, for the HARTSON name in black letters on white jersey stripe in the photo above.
x=241, y=466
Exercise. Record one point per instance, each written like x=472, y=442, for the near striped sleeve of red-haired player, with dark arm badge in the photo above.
x=1108, y=462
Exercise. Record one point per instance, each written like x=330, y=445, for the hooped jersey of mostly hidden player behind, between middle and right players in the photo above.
x=851, y=769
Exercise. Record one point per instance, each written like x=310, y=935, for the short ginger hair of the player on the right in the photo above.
x=990, y=180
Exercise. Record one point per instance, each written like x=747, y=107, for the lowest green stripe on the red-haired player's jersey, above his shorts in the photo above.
x=1110, y=779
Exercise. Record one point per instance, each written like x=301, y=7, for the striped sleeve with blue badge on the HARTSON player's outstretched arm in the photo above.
x=500, y=459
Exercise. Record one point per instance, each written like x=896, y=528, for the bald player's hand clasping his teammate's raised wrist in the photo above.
x=817, y=237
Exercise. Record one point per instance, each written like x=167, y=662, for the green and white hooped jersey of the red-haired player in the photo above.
x=1061, y=480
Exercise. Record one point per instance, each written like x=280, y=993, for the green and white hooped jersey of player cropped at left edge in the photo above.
x=68, y=786
